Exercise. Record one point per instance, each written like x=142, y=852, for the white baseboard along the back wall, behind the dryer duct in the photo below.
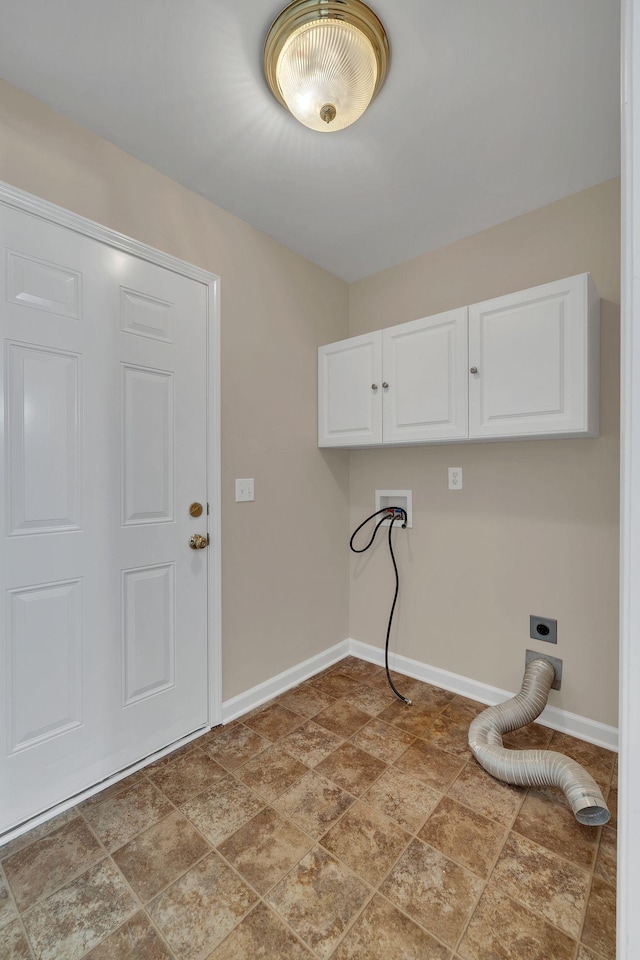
x=582, y=727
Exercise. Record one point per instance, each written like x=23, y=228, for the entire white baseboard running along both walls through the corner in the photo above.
x=576, y=726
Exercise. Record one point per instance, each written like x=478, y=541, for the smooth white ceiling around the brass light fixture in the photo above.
x=491, y=108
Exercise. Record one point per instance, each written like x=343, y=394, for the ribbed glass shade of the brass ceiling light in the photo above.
x=327, y=73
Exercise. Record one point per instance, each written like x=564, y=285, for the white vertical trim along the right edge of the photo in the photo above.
x=628, y=934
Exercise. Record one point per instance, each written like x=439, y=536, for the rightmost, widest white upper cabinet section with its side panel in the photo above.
x=536, y=356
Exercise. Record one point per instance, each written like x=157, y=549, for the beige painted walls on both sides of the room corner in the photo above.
x=535, y=528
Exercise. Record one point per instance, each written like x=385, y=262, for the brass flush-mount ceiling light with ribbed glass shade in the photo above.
x=325, y=61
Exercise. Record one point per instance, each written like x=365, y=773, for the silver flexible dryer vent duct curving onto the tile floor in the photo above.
x=534, y=767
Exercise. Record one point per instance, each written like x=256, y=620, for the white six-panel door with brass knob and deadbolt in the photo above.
x=104, y=603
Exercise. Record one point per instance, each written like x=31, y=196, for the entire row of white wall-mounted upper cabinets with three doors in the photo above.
x=525, y=365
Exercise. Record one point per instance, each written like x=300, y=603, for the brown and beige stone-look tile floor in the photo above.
x=331, y=823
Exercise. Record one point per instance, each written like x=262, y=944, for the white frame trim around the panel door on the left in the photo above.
x=28, y=203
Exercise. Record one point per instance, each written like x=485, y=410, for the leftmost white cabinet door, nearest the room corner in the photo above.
x=350, y=392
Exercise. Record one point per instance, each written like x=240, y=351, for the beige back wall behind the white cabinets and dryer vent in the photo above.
x=535, y=527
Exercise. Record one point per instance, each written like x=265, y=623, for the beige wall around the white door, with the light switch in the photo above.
x=284, y=563
